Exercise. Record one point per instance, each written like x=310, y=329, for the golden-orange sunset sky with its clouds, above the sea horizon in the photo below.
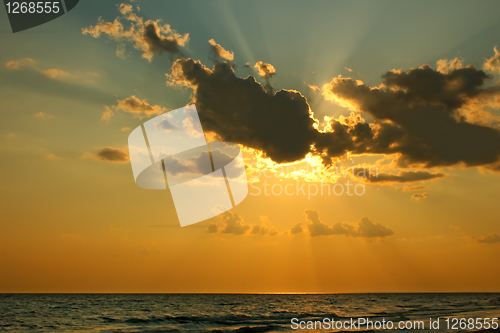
x=330, y=88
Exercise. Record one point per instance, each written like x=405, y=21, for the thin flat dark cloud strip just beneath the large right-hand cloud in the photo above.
x=401, y=177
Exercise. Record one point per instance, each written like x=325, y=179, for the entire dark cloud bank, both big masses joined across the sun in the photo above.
x=414, y=112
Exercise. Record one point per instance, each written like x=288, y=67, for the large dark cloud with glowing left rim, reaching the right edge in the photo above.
x=418, y=114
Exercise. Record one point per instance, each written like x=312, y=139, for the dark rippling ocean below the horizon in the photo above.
x=241, y=313
